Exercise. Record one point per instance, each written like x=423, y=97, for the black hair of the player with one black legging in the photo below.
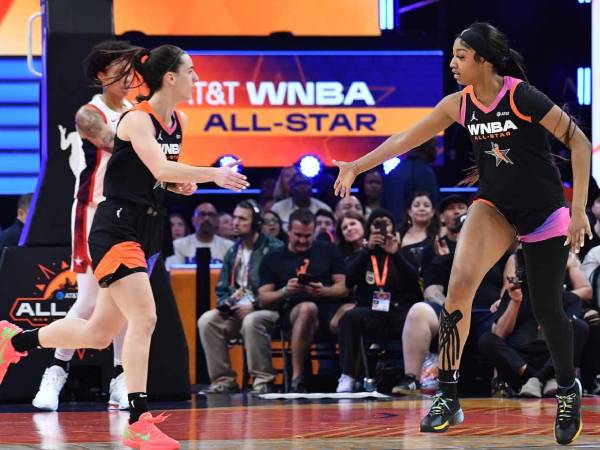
x=491, y=44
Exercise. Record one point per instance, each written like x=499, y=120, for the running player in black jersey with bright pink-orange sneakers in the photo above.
x=127, y=230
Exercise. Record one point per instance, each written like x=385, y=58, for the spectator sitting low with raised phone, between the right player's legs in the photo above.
x=515, y=345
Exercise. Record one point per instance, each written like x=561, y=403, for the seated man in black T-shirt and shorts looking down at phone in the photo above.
x=305, y=281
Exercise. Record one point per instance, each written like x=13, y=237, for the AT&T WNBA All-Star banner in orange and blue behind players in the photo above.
x=272, y=107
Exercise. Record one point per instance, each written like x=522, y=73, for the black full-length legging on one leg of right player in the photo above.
x=545, y=265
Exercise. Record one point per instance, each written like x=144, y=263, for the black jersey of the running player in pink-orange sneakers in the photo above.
x=127, y=178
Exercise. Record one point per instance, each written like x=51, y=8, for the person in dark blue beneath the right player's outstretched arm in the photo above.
x=414, y=174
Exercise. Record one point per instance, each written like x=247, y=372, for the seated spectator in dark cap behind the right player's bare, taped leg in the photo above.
x=422, y=322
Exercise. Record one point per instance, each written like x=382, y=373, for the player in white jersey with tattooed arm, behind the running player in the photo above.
x=96, y=123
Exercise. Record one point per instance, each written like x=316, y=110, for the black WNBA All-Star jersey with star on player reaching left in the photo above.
x=511, y=148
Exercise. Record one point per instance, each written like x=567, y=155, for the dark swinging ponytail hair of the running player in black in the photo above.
x=150, y=65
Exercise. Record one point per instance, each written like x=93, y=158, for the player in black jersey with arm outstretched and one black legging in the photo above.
x=520, y=195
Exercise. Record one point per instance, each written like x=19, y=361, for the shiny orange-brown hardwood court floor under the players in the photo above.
x=238, y=422
